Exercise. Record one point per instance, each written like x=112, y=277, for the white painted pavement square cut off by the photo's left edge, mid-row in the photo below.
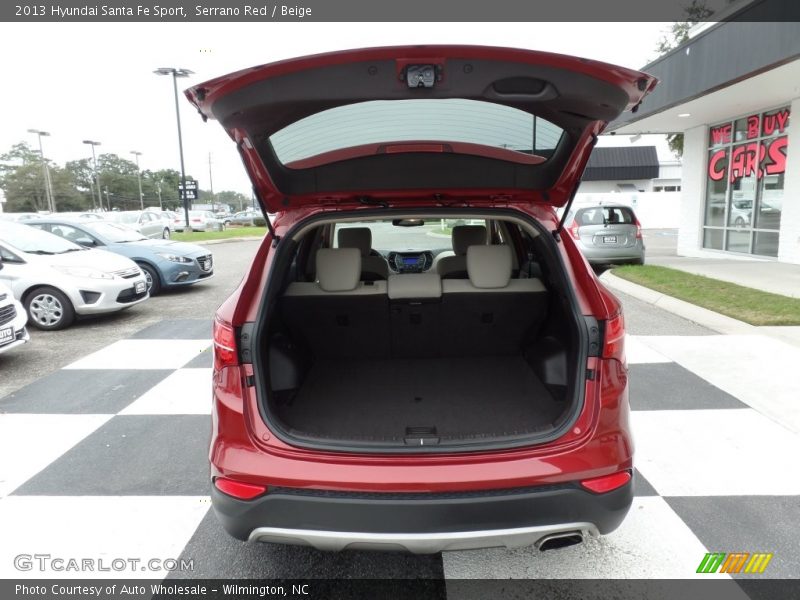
x=29, y=443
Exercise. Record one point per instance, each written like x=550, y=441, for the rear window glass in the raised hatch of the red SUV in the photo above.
x=446, y=120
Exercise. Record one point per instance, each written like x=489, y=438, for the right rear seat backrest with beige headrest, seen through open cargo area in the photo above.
x=490, y=314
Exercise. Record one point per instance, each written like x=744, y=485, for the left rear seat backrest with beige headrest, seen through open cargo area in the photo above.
x=339, y=316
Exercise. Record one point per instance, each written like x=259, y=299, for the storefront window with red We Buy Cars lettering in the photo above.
x=744, y=186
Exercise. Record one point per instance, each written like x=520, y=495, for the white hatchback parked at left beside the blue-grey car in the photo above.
x=56, y=280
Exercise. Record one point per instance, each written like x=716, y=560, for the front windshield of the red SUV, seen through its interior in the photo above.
x=434, y=235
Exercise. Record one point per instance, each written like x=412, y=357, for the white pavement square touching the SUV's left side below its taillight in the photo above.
x=185, y=392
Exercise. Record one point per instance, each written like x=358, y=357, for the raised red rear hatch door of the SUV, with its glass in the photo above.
x=419, y=123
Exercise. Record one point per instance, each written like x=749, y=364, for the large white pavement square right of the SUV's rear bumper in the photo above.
x=733, y=452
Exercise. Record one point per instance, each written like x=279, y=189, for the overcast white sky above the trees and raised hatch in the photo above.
x=95, y=81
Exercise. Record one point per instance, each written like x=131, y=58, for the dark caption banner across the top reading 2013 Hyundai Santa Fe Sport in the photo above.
x=408, y=11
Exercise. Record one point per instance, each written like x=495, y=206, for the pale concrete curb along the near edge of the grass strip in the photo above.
x=702, y=316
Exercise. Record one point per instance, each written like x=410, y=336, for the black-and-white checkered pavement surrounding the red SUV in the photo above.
x=107, y=457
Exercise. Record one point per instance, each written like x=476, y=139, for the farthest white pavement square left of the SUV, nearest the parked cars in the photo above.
x=143, y=354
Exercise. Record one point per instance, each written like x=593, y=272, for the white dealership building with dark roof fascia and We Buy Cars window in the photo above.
x=732, y=89
